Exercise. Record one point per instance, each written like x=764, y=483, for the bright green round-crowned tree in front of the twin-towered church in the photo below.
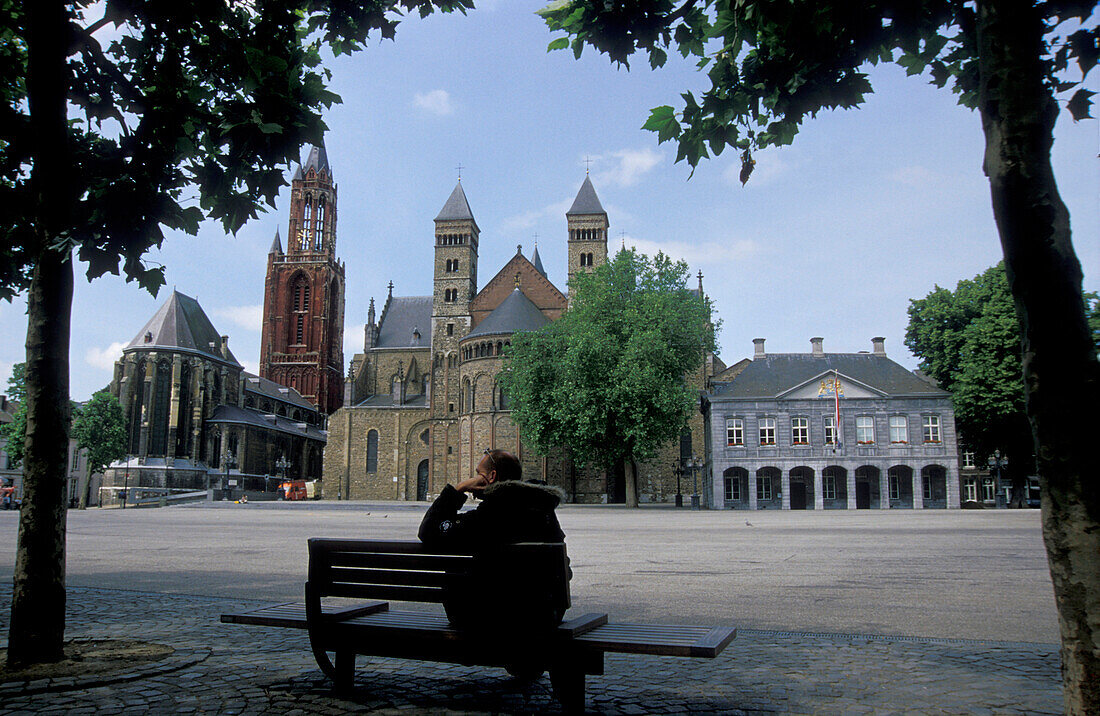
x=608, y=380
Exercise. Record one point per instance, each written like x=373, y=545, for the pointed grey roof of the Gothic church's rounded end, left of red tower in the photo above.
x=181, y=325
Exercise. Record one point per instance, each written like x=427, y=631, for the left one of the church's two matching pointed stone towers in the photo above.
x=456, y=284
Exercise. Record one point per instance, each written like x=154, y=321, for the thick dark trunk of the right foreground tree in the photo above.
x=1061, y=370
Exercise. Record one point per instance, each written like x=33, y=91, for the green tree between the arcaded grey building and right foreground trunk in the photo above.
x=970, y=343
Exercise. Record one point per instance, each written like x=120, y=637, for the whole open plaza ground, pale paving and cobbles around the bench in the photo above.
x=929, y=612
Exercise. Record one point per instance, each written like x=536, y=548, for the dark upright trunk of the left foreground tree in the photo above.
x=38, y=611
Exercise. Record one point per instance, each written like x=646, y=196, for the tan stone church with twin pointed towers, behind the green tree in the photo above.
x=423, y=402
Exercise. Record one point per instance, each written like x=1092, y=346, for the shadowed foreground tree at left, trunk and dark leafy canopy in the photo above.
x=109, y=125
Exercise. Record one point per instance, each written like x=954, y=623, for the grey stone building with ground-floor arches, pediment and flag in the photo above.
x=772, y=426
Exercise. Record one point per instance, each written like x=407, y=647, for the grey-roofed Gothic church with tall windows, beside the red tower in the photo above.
x=189, y=403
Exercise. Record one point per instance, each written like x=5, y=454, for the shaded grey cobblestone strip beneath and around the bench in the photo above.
x=230, y=669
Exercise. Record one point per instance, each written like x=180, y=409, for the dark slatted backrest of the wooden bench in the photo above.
x=408, y=571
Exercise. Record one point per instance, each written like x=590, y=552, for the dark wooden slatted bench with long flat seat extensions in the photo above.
x=378, y=572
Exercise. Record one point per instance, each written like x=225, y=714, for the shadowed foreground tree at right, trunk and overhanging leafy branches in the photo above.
x=774, y=64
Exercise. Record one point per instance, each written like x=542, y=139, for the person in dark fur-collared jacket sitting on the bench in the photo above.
x=511, y=512
